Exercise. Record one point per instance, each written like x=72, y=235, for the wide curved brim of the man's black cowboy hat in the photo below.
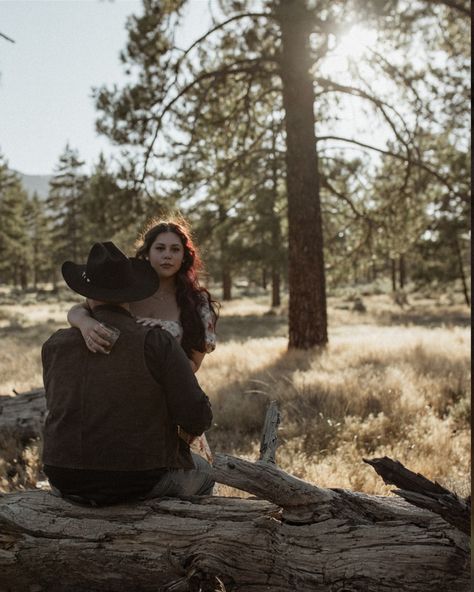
x=145, y=282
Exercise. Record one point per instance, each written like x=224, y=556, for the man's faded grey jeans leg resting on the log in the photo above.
x=181, y=482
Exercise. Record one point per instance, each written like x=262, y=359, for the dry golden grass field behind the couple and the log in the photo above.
x=393, y=381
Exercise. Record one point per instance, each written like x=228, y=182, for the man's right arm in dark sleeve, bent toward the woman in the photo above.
x=188, y=405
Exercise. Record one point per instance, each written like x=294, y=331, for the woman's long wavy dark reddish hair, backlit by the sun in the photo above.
x=190, y=296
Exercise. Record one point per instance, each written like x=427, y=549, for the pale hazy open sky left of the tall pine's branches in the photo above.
x=62, y=48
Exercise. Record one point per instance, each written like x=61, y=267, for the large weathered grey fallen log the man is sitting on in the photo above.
x=296, y=536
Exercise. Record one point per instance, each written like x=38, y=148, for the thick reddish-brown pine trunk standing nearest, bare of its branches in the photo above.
x=307, y=306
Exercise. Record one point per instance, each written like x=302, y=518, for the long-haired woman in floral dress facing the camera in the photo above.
x=180, y=305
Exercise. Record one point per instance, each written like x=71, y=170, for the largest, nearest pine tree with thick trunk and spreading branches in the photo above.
x=251, y=50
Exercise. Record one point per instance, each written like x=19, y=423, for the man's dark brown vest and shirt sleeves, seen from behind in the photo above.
x=108, y=412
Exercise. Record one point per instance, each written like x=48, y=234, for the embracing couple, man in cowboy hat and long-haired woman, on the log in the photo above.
x=119, y=426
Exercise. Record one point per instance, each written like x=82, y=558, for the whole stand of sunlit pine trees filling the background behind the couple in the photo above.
x=220, y=131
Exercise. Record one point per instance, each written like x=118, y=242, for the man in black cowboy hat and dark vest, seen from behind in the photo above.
x=111, y=432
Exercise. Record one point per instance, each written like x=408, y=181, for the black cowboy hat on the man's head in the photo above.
x=110, y=276
